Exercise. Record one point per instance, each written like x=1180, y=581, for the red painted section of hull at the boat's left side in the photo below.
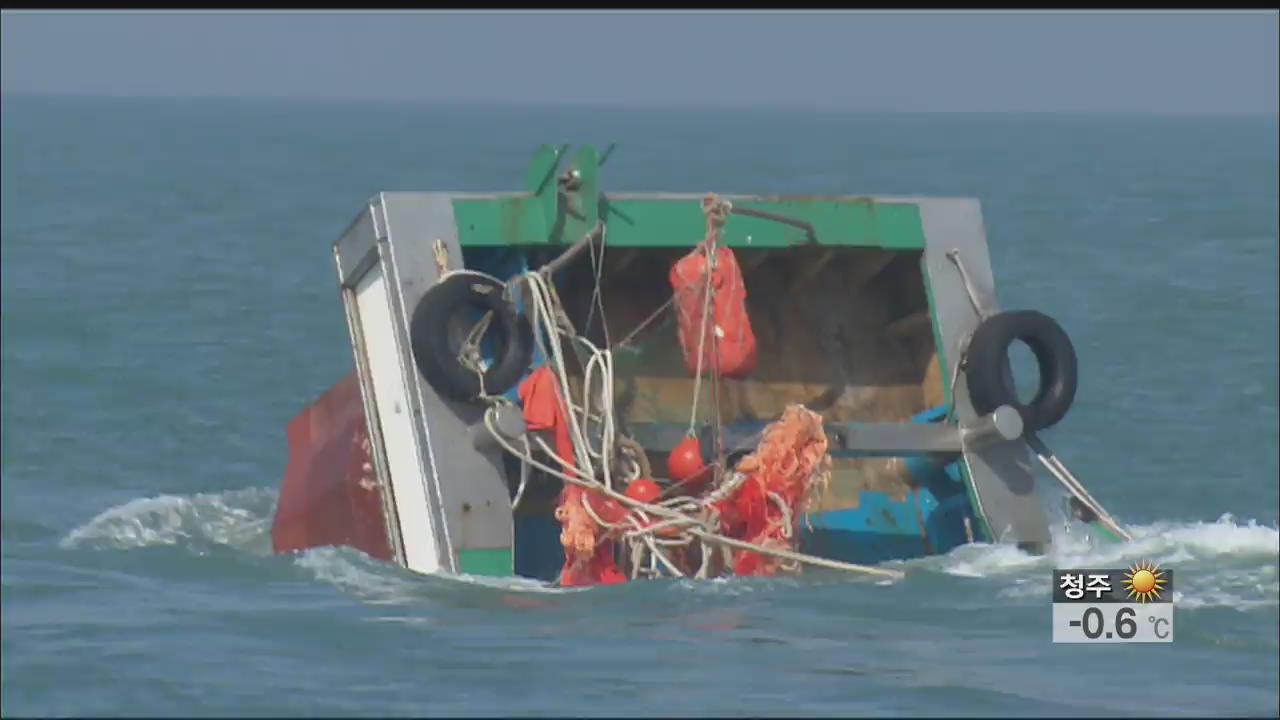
x=330, y=495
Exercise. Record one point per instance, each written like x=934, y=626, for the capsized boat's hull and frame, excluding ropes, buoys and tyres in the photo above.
x=862, y=307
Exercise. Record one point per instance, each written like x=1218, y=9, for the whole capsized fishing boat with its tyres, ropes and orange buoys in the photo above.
x=588, y=389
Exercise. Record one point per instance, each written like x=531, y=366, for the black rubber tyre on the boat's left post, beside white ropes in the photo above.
x=429, y=338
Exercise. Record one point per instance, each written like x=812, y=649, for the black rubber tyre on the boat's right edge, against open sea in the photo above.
x=989, y=352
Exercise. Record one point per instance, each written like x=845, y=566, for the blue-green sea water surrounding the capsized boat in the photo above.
x=170, y=303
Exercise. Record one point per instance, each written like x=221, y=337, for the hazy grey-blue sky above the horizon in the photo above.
x=1036, y=62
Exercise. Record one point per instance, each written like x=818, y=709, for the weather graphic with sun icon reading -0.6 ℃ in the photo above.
x=1133, y=605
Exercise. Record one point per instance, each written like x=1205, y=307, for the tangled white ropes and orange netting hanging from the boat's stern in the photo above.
x=756, y=502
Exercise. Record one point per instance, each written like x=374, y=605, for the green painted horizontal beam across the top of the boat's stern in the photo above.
x=849, y=222
